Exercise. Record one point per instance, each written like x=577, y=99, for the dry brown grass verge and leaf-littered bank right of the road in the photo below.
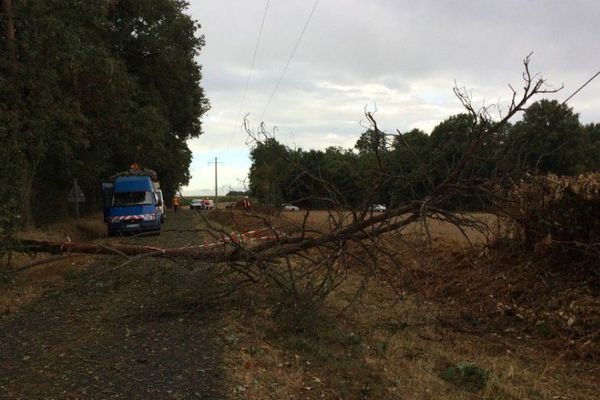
x=459, y=322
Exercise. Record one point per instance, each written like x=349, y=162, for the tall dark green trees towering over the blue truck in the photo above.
x=89, y=87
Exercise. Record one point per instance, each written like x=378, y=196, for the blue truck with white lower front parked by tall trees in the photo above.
x=133, y=202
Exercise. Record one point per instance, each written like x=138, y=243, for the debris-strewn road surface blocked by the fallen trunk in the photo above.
x=138, y=332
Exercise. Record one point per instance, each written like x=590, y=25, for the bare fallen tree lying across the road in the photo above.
x=307, y=262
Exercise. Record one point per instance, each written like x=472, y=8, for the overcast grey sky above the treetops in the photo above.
x=398, y=57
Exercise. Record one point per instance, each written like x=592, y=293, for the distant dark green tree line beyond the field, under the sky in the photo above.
x=548, y=139
